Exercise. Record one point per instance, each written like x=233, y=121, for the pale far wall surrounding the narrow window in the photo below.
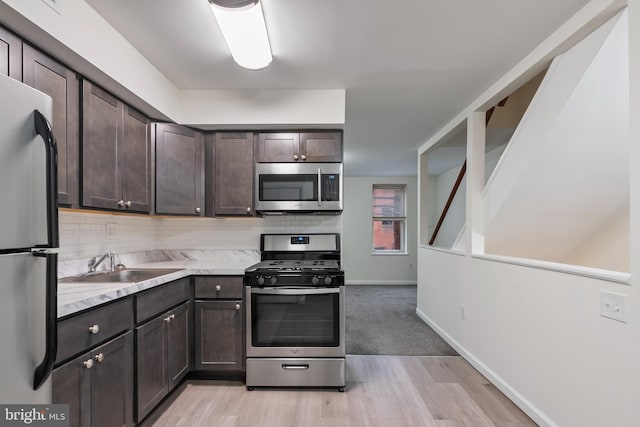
x=360, y=266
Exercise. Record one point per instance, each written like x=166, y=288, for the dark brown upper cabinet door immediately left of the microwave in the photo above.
x=234, y=169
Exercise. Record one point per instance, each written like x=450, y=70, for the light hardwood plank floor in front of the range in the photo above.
x=393, y=391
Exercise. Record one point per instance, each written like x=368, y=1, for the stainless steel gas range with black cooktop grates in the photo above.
x=295, y=313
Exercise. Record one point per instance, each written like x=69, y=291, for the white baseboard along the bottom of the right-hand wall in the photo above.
x=520, y=401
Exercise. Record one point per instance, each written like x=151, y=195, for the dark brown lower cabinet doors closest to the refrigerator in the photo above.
x=98, y=385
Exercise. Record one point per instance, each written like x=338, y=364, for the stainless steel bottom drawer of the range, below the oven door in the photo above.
x=299, y=372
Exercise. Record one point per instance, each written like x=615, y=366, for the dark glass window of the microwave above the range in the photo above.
x=288, y=188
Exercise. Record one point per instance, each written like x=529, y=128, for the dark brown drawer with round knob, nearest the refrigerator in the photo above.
x=79, y=333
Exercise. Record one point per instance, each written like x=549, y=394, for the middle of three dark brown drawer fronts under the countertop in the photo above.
x=159, y=299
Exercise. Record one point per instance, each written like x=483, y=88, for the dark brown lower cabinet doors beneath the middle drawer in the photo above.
x=162, y=356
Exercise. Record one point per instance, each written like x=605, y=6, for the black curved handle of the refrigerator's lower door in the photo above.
x=43, y=370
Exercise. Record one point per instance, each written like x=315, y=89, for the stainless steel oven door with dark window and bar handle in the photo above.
x=295, y=322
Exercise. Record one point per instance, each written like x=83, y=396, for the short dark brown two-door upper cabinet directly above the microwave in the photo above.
x=300, y=147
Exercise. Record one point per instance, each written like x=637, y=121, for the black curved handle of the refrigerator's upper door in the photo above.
x=43, y=128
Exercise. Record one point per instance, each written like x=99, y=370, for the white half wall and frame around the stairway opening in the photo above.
x=537, y=334
